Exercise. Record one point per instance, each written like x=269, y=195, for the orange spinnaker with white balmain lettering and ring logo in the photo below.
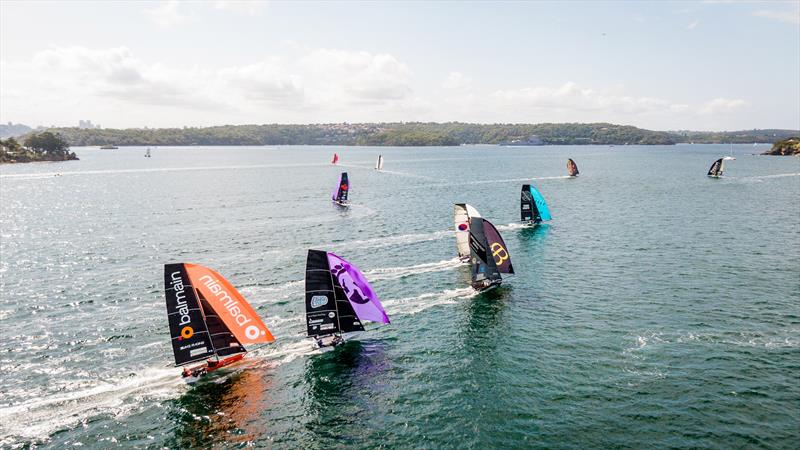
x=229, y=305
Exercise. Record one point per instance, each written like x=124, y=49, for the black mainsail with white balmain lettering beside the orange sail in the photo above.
x=190, y=338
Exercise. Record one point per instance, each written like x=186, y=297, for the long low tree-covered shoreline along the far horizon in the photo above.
x=410, y=134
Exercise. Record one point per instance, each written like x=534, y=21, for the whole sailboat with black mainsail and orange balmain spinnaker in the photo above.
x=209, y=320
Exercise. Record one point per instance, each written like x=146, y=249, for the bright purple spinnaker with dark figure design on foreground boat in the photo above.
x=365, y=302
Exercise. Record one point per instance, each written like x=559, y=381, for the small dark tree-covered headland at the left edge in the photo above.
x=45, y=146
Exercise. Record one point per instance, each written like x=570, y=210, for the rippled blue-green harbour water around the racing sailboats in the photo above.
x=660, y=308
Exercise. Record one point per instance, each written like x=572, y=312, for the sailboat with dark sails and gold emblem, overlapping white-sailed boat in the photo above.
x=489, y=255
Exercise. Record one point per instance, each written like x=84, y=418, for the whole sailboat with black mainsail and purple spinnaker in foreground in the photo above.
x=338, y=299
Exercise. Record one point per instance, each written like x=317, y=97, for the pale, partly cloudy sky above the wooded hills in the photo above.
x=688, y=65
